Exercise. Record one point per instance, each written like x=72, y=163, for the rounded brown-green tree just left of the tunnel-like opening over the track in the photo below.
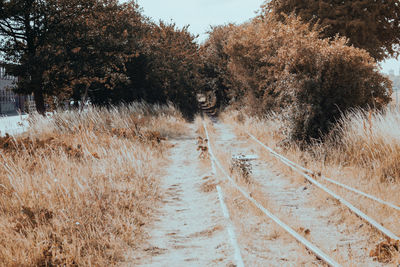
x=173, y=65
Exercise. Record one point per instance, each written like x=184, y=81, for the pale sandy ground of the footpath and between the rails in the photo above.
x=191, y=230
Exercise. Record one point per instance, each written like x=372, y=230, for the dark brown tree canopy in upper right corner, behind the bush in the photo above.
x=369, y=24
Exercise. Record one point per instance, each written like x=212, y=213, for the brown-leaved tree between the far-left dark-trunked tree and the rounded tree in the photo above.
x=90, y=59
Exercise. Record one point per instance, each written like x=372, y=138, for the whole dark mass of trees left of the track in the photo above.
x=100, y=50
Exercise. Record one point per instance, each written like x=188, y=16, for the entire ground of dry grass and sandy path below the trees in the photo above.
x=139, y=185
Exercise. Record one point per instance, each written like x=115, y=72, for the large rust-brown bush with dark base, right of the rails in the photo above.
x=327, y=79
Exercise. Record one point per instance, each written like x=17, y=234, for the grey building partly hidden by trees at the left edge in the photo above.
x=9, y=101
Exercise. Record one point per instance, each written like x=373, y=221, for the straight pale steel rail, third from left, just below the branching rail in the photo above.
x=361, y=214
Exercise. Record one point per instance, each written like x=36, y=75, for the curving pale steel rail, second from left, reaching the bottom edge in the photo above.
x=318, y=252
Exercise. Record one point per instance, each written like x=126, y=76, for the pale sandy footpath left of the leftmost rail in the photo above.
x=190, y=229
